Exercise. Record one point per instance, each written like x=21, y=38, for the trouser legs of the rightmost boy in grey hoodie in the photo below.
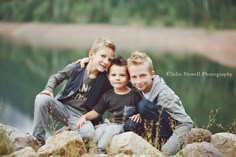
x=173, y=137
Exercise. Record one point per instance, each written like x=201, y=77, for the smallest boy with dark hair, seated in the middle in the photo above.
x=120, y=102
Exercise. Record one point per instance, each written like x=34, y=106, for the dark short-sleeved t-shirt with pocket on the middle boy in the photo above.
x=115, y=104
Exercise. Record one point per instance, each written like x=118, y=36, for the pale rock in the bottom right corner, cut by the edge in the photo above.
x=225, y=143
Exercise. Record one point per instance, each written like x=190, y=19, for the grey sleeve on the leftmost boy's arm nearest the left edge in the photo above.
x=55, y=79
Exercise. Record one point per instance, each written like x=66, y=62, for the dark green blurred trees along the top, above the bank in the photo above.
x=207, y=13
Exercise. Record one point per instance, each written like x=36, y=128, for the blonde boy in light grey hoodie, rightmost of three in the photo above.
x=158, y=97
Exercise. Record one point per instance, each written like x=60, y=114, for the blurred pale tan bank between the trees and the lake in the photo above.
x=217, y=45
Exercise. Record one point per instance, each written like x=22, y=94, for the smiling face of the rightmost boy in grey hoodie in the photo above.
x=141, y=77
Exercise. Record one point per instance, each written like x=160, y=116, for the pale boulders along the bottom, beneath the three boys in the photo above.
x=199, y=143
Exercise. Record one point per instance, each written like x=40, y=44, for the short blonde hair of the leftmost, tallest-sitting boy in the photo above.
x=103, y=43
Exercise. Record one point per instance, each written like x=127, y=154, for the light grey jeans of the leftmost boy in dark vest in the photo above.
x=65, y=114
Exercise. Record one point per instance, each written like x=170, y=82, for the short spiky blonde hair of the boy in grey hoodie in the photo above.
x=138, y=58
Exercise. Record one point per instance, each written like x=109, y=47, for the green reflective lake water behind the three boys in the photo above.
x=202, y=85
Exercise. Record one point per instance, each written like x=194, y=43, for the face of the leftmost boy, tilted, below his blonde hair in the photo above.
x=101, y=59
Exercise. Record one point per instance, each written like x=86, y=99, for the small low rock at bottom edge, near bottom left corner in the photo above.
x=24, y=152
